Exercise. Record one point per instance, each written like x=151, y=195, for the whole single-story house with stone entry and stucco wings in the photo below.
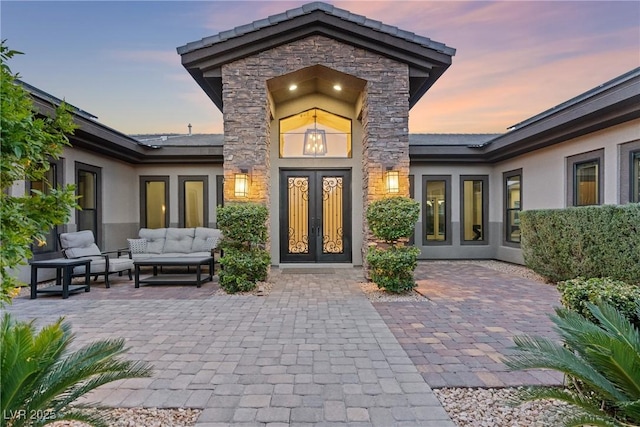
x=316, y=102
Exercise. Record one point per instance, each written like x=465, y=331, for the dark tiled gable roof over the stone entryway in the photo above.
x=427, y=59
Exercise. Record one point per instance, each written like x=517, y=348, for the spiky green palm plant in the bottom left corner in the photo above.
x=40, y=377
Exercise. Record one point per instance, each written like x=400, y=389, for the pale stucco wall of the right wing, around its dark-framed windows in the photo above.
x=544, y=186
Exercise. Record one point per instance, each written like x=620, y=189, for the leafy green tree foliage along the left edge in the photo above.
x=28, y=142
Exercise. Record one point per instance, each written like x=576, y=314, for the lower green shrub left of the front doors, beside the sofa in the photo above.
x=241, y=269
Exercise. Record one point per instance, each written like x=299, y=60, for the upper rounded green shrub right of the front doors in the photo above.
x=393, y=218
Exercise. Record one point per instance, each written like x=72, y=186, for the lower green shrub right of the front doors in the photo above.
x=392, y=269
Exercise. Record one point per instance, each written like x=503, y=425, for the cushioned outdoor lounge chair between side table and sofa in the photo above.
x=82, y=244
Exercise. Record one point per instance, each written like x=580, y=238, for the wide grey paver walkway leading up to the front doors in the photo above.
x=314, y=351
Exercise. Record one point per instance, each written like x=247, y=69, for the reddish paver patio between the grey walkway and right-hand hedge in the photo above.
x=457, y=338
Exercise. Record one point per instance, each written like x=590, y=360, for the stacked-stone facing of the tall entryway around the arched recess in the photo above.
x=385, y=114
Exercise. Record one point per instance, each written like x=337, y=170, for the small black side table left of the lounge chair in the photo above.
x=64, y=269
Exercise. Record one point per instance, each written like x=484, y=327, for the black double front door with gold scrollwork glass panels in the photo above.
x=315, y=216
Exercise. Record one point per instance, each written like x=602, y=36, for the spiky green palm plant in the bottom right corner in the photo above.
x=602, y=359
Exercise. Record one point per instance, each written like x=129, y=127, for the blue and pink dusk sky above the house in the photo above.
x=118, y=60
